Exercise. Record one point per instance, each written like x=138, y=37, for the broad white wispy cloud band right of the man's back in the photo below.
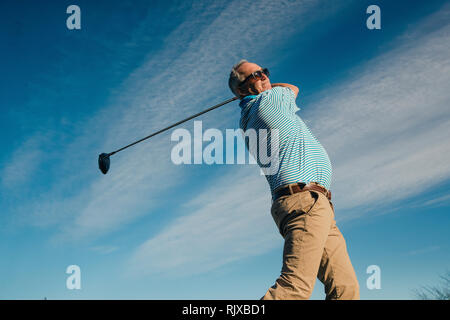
x=387, y=128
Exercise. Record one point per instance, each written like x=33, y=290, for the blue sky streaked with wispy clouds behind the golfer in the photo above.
x=149, y=229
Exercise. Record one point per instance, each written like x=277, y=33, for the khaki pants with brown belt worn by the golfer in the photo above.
x=314, y=248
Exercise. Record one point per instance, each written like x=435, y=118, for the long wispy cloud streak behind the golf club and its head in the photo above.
x=182, y=78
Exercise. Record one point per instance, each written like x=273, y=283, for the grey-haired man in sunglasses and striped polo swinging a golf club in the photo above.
x=301, y=208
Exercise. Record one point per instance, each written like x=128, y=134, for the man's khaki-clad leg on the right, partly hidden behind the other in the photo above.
x=336, y=271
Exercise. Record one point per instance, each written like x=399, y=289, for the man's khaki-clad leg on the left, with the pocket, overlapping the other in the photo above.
x=307, y=220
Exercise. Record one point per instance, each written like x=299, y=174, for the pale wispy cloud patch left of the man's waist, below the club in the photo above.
x=228, y=221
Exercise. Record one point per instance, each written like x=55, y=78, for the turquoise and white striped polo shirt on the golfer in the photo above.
x=301, y=156
